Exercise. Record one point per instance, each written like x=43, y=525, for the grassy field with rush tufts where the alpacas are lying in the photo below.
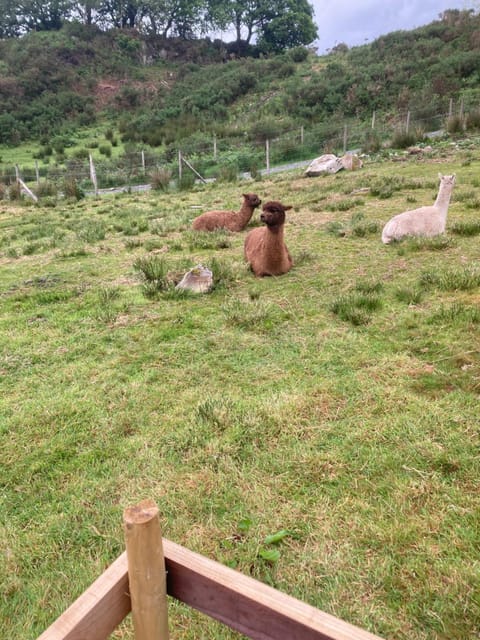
x=338, y=403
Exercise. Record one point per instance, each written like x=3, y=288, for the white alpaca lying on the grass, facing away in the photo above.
x=424, y=221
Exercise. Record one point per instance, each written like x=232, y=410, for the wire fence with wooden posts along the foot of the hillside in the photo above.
x=209, y=154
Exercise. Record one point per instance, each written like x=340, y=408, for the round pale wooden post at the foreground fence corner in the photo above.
x=146, y=571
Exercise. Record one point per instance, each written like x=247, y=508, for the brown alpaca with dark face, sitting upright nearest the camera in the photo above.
x=264, y=247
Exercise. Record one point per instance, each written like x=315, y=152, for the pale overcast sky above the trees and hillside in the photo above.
x=356, y=22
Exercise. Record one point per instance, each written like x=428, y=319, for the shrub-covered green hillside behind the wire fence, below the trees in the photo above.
x=159, y=90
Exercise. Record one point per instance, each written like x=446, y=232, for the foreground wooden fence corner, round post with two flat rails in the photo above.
x=152, y=567
